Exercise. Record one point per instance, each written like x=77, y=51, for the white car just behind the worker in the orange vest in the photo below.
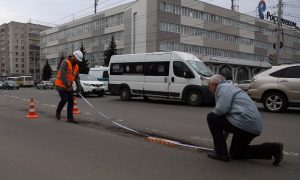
x=90, y=85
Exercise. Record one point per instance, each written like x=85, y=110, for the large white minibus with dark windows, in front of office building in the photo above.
x=173, y=75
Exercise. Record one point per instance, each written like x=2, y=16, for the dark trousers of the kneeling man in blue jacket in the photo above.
x=240, y=145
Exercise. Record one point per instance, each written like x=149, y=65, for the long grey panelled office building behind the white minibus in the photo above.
x=233, y=44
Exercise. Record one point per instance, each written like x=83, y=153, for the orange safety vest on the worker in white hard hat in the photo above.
x=71, y=74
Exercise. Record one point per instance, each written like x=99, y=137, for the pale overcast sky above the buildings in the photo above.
x=57, y=12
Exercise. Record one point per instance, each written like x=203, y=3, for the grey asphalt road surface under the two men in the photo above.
x=45, y=148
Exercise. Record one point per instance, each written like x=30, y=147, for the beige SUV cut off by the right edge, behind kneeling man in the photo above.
x=277, y=88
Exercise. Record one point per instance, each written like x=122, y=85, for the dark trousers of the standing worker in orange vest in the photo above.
x=66, y=96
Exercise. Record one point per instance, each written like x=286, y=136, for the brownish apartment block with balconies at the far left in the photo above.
x=19, y=47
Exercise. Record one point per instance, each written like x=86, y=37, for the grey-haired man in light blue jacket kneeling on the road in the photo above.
x=236, y=113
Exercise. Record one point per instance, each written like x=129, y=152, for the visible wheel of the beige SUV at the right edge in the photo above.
x=275, y=102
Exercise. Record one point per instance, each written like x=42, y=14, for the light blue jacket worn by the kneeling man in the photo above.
x=238, y=107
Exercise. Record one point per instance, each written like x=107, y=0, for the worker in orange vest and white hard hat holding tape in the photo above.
x=68, y=73
